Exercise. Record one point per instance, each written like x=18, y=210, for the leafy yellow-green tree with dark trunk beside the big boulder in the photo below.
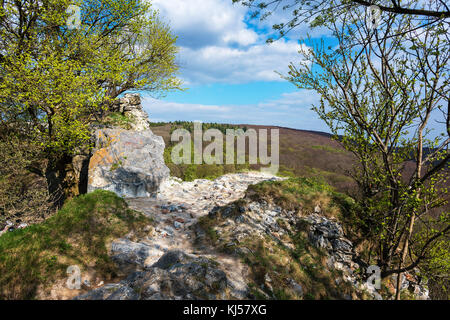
x=54, y=79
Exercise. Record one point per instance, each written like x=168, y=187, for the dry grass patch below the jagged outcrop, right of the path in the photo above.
x=306, y=265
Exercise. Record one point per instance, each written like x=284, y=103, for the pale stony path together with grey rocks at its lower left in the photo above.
x=175, y=210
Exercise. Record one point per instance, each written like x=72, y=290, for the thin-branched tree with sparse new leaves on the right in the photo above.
x=379, y=89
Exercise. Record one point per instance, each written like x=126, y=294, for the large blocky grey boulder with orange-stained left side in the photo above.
x=129, y=163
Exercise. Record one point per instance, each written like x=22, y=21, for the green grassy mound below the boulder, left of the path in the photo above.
x=77, y=235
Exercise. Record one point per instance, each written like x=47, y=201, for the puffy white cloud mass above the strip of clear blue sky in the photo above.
x=217, y=46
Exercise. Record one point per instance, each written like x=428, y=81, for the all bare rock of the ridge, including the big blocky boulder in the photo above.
x=175, y=260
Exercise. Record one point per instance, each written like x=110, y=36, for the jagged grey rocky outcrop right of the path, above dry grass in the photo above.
x=250, y=219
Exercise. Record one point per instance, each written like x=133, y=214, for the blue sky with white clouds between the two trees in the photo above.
x=229, y=70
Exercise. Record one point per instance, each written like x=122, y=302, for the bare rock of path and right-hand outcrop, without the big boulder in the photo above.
x=175, y=262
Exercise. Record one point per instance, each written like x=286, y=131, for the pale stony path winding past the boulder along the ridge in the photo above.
x=175, y=209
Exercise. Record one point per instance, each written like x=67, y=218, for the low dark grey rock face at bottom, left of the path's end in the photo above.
x=175, y=276
